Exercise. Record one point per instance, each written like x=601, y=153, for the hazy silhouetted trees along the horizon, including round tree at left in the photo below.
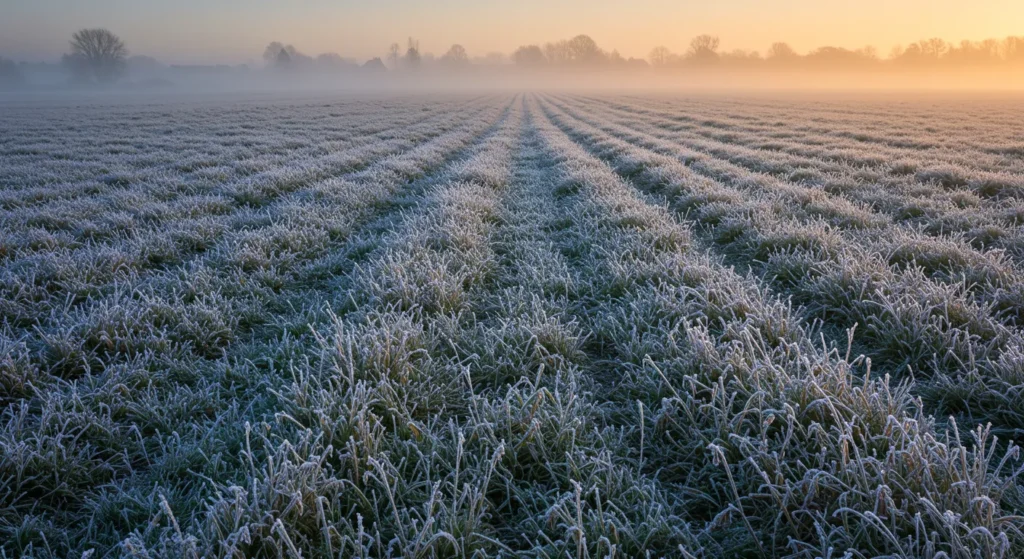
x=100, y=57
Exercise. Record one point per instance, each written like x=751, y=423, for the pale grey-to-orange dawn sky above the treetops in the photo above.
x=237, y=31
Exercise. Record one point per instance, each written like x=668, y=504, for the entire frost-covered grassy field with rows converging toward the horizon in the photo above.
x=513, y=325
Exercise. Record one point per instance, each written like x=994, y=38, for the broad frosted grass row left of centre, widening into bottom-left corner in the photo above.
x=124, y=405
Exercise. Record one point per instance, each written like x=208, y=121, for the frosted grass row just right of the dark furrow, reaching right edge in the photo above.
x=923, y=308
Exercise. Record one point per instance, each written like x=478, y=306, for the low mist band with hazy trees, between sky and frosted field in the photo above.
x=100, y=61
